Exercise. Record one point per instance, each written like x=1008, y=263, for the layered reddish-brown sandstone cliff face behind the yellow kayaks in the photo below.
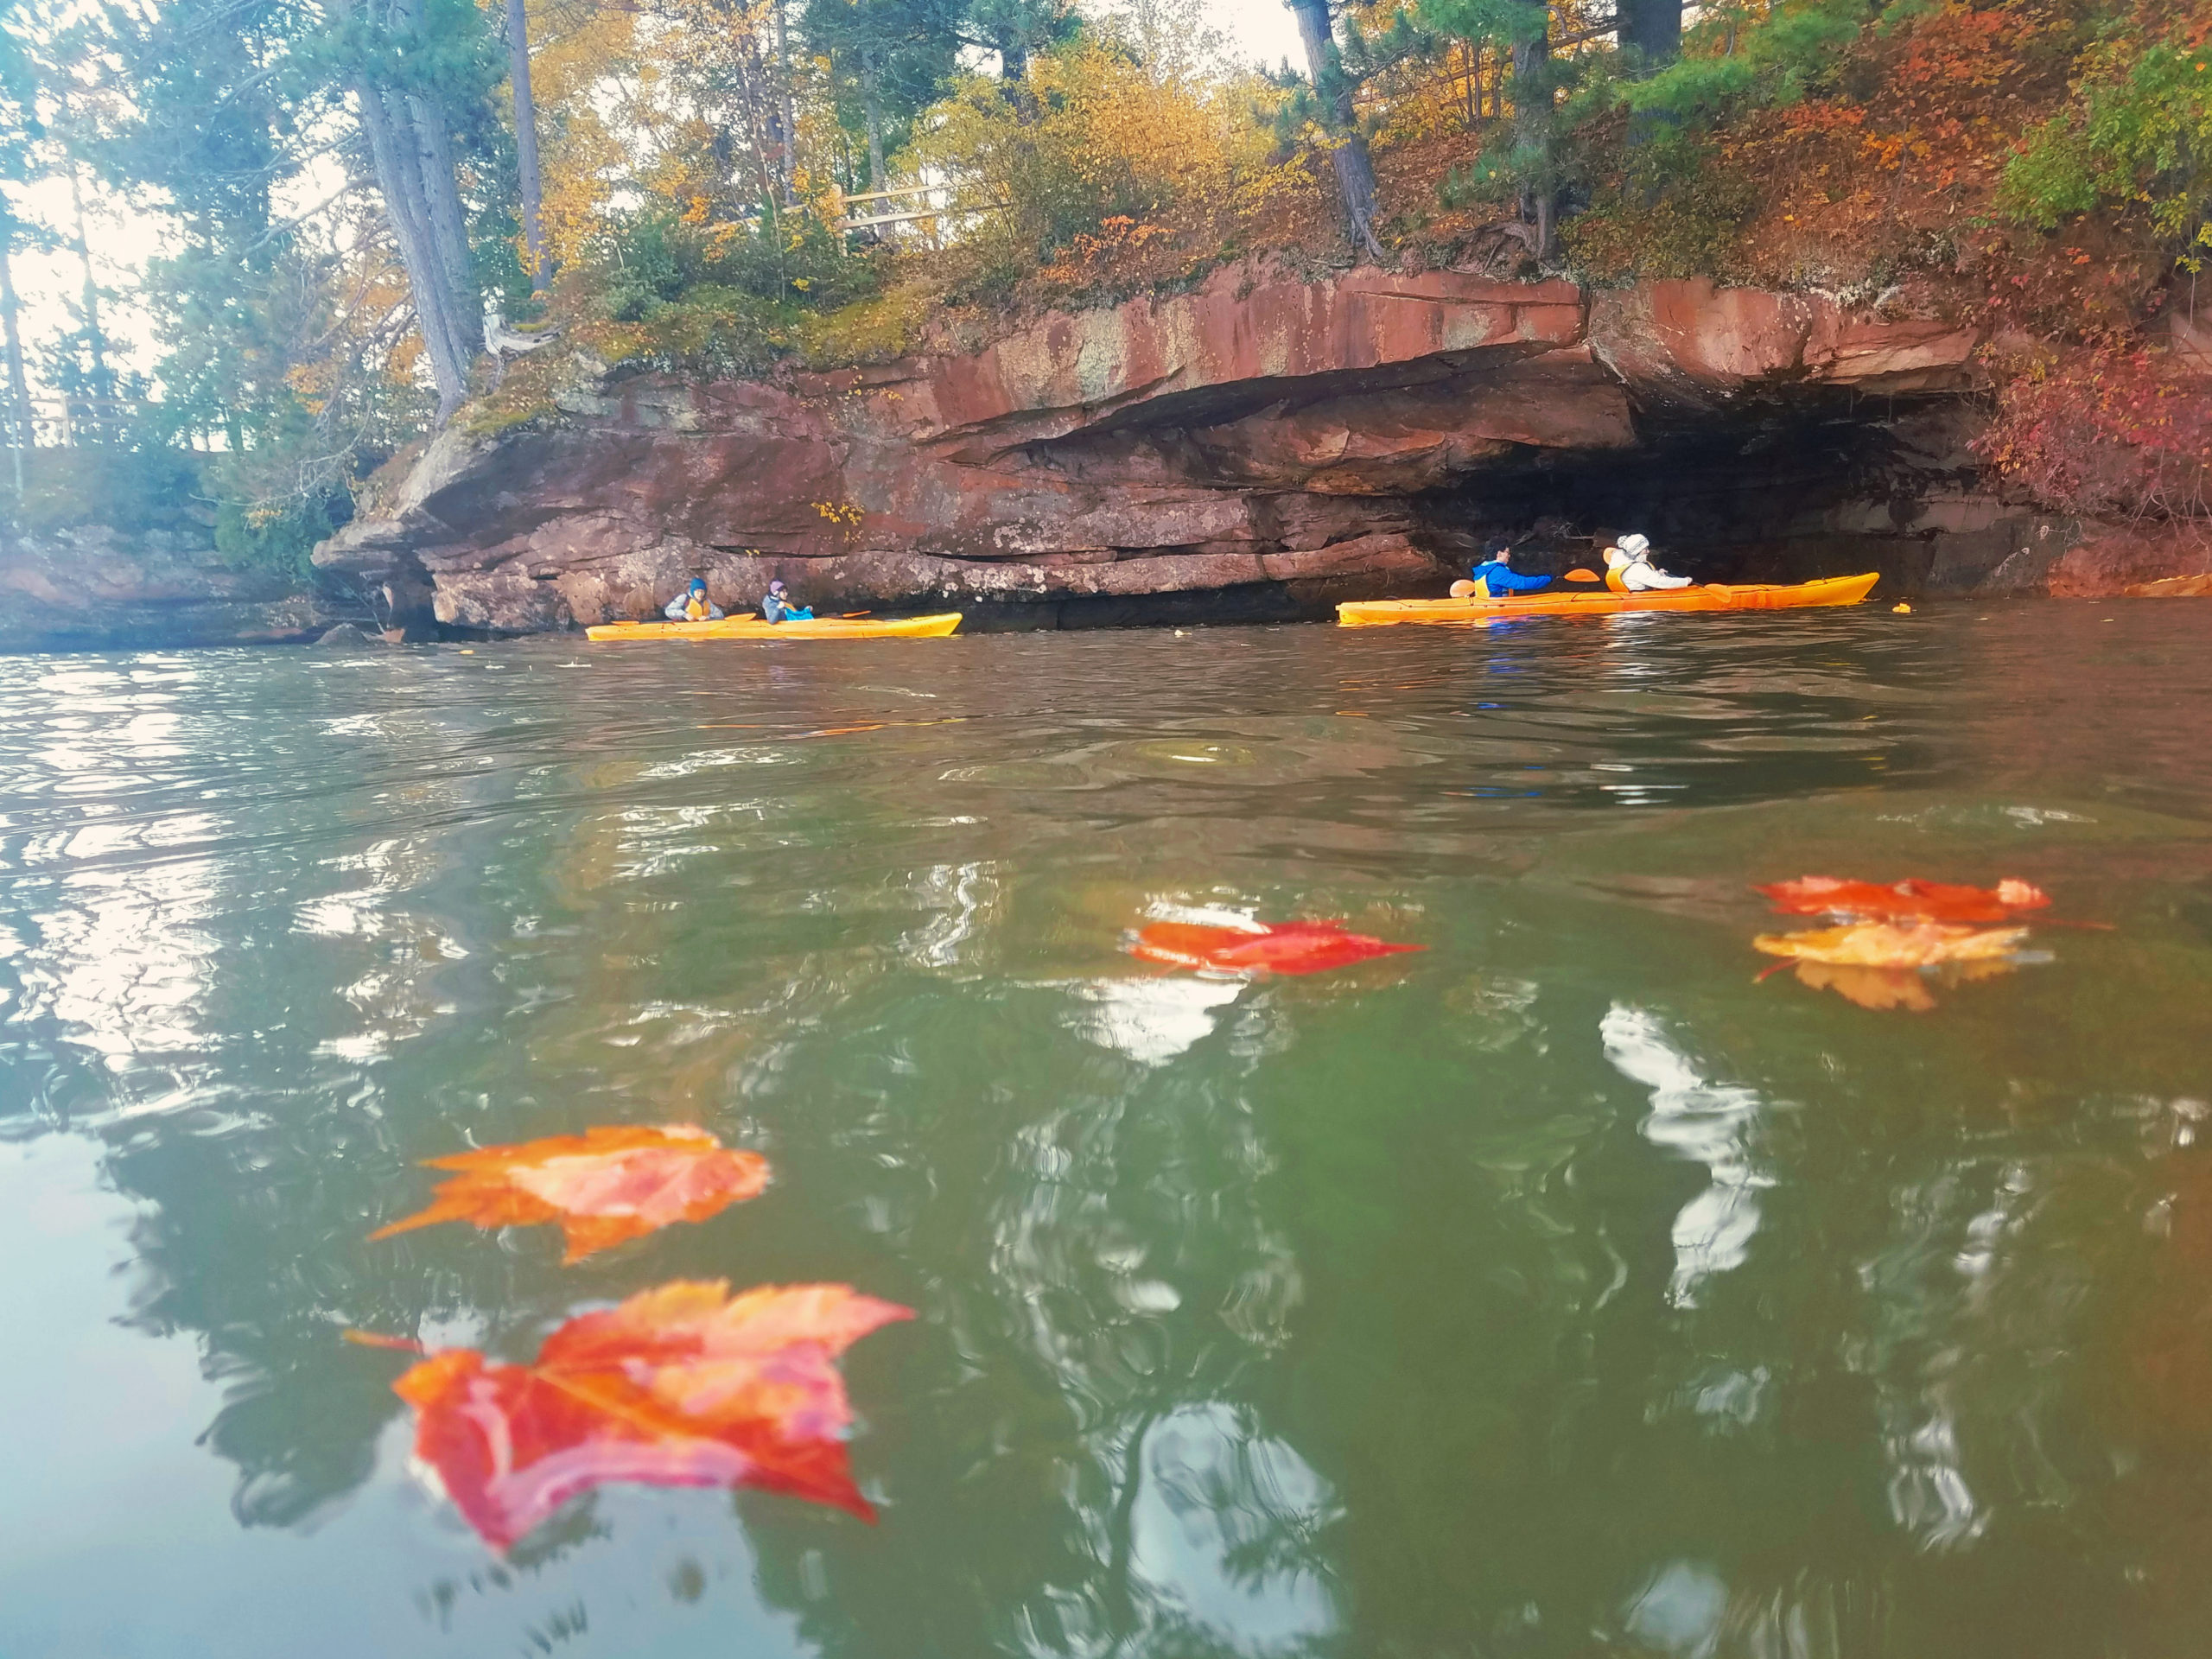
x=1315, y=441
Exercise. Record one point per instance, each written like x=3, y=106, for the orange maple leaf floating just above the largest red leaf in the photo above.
x=605, y=1187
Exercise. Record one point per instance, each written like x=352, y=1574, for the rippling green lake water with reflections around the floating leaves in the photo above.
x=1556, y=1291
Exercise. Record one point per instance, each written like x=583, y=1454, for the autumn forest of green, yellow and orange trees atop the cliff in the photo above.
x=390, y=216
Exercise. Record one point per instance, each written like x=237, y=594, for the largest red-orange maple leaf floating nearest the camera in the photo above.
x=682, y=1386
